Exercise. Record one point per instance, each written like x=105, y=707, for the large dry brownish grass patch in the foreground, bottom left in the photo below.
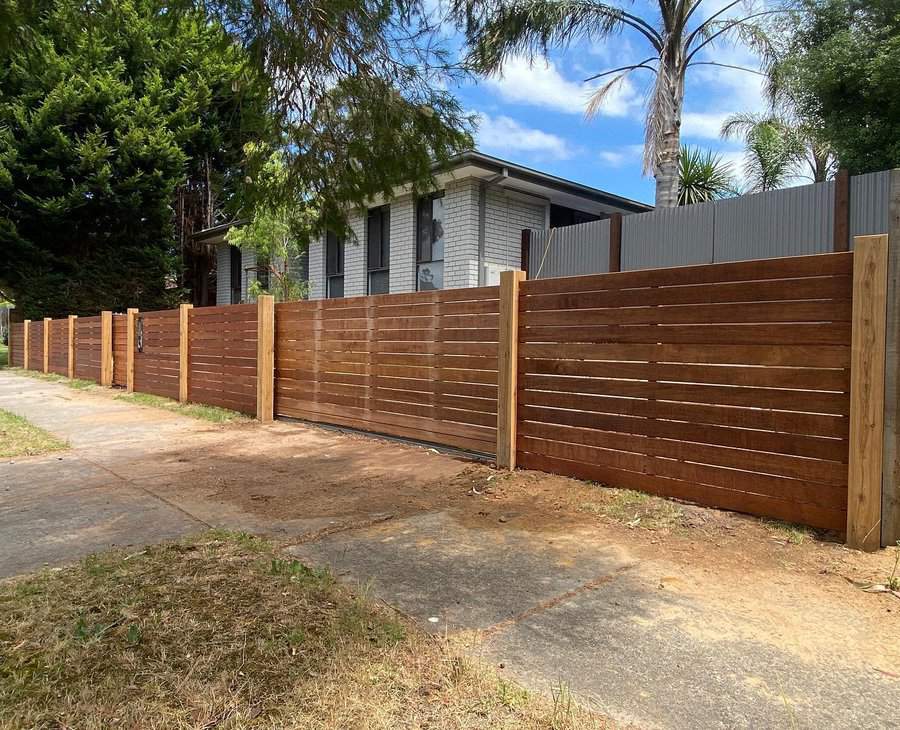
x=221, y=631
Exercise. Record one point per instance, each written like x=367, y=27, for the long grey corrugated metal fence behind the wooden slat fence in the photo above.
x=789, y=222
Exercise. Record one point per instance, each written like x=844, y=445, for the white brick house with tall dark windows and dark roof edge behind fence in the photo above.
x=462, y=235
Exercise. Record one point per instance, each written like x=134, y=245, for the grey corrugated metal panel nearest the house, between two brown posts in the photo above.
x=574, y=250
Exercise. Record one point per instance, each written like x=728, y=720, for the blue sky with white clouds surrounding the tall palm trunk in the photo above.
x=534, y=115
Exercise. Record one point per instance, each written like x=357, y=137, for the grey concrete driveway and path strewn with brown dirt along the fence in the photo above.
x=719, y=626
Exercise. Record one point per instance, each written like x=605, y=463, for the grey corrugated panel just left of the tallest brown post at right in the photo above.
x=790, y=222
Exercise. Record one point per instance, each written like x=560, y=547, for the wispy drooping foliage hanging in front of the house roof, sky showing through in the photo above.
x=359, y=93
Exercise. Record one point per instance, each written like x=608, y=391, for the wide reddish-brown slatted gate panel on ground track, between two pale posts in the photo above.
x=420, y=365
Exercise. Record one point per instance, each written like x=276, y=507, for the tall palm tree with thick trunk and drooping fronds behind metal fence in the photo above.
x=498, y=29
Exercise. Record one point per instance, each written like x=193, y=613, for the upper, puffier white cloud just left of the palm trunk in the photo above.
x=542, y=84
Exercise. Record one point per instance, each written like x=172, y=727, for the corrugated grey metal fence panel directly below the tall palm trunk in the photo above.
x=668, y=237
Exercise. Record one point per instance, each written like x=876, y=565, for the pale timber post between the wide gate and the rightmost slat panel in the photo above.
x=507, y=367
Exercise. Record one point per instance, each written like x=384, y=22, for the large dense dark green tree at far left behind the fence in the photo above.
x=104, y=110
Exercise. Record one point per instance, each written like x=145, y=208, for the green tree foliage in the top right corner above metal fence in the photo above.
x=841, y=66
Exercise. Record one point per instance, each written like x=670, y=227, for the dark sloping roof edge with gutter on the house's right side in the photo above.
x=537, y=181
